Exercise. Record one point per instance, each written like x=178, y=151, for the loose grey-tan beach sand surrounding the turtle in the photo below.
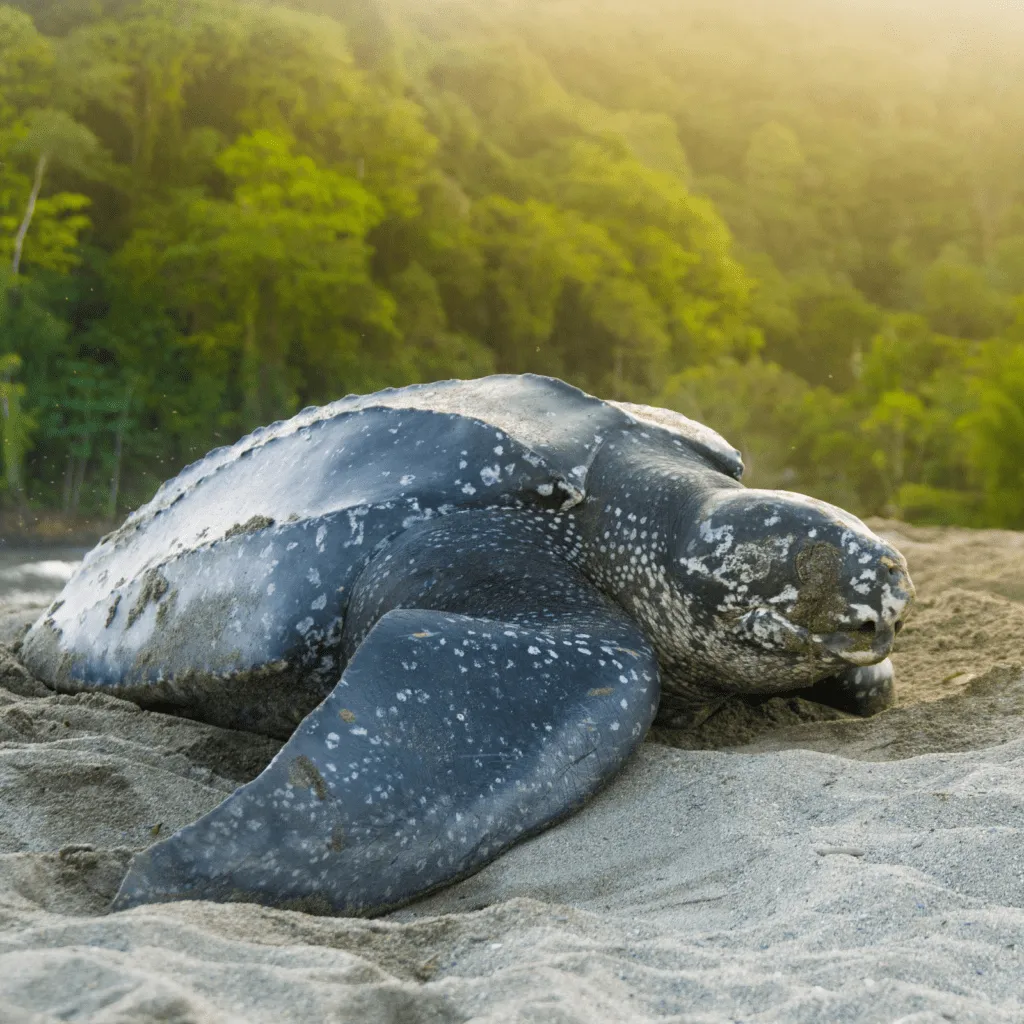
x=819, y=868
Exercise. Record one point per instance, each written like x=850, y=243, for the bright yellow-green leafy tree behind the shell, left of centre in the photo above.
x=278, y=276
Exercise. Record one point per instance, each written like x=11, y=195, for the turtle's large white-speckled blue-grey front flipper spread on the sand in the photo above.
x=449, y=739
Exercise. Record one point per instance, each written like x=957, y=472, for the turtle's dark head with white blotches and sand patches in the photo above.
x=775, y=590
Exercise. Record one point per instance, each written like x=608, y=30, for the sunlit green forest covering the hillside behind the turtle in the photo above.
x=801, y=223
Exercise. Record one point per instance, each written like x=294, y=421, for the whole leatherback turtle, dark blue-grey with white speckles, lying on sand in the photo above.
x=463, y=604
